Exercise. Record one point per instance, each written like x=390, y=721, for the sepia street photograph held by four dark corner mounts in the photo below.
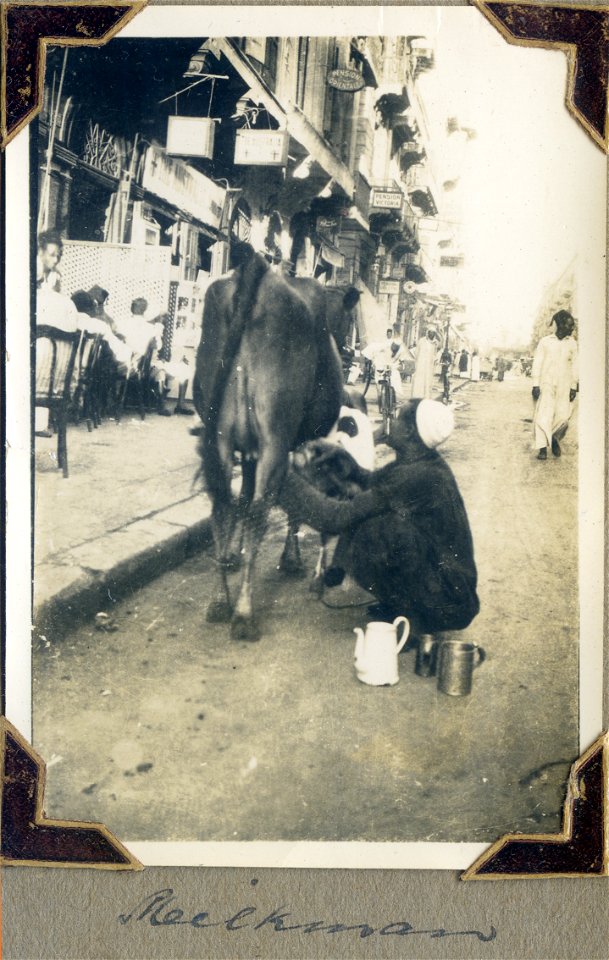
x=314, y=315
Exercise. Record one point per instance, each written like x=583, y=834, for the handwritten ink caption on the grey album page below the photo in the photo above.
x=161, y=909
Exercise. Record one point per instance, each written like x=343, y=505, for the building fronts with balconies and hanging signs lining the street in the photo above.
x=315, y=149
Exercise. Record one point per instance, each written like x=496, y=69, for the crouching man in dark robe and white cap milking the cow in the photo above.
x=407, y=538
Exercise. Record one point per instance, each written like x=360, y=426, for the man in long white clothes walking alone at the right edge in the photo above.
x=555, y=376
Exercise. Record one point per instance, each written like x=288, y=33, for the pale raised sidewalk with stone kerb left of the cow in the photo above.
x=131, y=509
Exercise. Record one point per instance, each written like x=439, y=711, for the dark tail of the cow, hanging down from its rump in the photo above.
x=251, y=268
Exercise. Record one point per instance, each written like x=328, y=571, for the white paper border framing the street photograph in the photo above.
x=186, y=20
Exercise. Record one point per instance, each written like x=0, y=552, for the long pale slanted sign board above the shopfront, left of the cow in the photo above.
x=182, y=186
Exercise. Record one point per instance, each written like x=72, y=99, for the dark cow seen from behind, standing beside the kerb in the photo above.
x=268, y=378
